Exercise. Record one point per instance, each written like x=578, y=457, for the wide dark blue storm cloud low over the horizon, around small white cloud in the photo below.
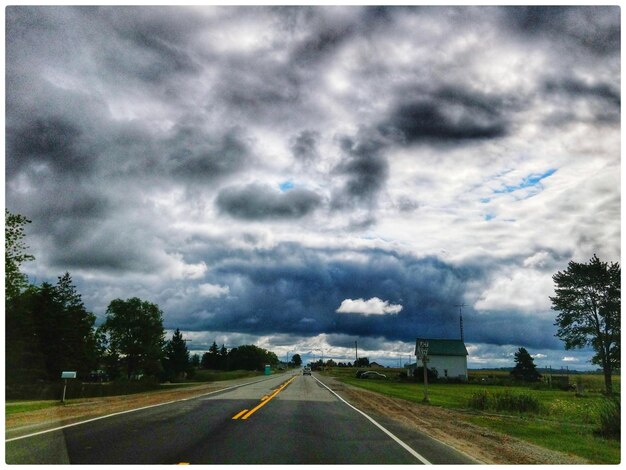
x=292, y=289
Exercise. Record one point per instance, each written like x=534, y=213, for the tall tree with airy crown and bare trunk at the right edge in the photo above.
x=588, y=299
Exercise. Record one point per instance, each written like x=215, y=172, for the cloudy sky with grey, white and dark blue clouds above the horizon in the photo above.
x=304, y=178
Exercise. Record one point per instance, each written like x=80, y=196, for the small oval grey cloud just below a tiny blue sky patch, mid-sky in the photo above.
x=259, y=202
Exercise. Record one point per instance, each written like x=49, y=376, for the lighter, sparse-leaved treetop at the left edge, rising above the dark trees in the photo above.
x=14, y=254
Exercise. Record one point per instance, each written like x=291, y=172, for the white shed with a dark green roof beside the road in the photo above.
x=447, y=356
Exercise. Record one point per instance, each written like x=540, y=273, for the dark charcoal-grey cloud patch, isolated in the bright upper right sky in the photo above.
x=447, y=115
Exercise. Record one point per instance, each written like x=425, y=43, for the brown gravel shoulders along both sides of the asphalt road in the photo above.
x=481, y=444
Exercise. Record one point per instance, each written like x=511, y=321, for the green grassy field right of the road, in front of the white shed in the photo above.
x=563, y=421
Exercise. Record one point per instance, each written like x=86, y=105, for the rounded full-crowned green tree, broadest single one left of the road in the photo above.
x=135, y=336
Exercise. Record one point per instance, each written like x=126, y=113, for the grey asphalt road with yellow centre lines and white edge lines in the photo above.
x=284, y=419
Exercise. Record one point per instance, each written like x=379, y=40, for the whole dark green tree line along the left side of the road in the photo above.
x=49, y=330
